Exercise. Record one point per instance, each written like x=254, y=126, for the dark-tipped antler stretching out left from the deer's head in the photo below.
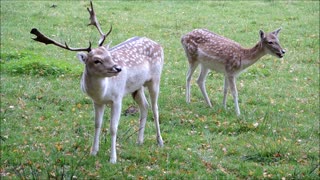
x=44, y=39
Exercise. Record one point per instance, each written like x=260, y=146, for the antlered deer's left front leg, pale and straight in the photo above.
x=99, y=110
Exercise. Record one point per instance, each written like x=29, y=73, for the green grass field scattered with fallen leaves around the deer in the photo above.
x=47, y=122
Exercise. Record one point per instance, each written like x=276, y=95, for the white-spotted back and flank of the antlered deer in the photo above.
x=141, y=59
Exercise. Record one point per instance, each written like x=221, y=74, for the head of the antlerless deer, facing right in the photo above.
x=271, y=43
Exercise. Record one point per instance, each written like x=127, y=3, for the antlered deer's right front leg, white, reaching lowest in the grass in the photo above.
x=114, y=122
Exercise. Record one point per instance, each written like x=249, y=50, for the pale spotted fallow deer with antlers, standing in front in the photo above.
x=111, y=73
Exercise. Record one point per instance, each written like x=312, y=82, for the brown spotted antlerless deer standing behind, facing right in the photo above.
x=214, y=52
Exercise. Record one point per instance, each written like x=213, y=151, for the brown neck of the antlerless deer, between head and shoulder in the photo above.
x=252, y=55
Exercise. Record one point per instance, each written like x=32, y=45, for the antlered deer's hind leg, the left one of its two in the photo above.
x=142, y=102
